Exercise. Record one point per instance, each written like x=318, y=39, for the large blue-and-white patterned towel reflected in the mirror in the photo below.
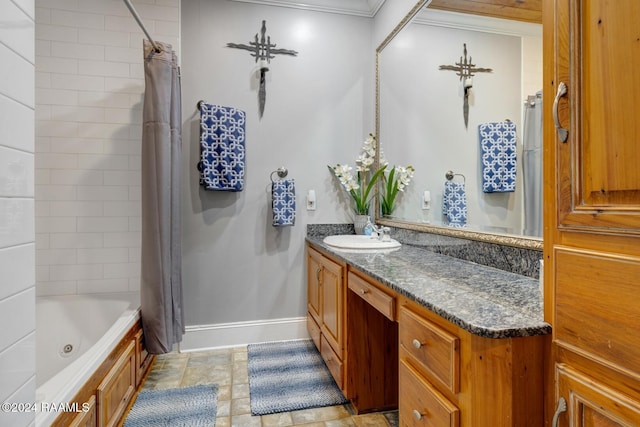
x=498, y=156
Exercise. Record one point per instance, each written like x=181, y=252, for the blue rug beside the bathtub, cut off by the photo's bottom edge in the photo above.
x=184, y=407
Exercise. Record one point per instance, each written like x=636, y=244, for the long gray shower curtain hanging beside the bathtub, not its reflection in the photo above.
x=161, y=256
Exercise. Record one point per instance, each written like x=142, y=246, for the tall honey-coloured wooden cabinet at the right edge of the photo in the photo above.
x=592, y=211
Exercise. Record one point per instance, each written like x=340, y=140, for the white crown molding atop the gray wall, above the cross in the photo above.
x=366, y=8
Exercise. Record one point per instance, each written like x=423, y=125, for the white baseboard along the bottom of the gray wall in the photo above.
x=203, y=337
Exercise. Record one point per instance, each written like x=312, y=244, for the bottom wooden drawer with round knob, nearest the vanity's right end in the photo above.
x=421, y=404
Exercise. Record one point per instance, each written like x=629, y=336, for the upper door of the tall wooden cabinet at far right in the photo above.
x=597, y=51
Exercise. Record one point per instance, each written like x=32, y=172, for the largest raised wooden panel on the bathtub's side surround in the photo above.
x=115, y=392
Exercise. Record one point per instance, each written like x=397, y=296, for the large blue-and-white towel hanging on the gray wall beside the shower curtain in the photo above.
x=222, y=150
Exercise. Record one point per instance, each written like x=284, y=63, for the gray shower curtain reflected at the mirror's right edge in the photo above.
x=532, y=165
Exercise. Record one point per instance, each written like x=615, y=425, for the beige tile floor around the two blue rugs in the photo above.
x=228, y=369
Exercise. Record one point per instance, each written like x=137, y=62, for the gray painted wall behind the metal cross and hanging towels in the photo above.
x=237, y=267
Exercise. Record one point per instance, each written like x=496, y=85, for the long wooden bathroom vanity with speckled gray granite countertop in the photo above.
x=447, y=341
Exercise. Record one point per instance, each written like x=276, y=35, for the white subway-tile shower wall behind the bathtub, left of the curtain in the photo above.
x=89, y=86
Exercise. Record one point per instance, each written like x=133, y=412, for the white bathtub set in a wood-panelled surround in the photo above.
x=74, y=335
